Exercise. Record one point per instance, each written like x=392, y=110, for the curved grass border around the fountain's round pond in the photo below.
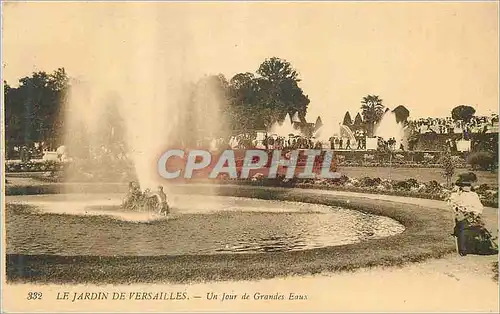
x=427, y=235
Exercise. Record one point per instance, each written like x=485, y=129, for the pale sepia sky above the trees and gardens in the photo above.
x=427, y=56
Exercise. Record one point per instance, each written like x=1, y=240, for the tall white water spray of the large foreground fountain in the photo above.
x=137, y=100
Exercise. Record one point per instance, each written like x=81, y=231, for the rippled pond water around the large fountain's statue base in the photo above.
x=95, y=225
